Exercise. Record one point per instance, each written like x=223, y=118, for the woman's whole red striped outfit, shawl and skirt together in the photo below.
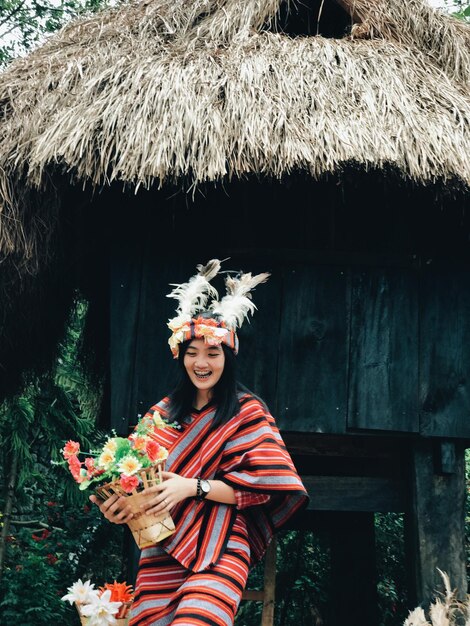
x=196, y=576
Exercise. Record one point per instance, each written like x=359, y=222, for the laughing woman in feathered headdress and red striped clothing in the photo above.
x=231, y=483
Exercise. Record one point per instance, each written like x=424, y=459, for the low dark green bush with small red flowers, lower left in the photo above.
x=67, y=543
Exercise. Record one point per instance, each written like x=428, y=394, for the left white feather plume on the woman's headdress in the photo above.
x=193, y=295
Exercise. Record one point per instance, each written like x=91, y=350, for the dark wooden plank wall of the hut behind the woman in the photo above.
x=363, y=326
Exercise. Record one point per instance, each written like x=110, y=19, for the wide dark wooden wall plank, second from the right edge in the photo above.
x=383, y=392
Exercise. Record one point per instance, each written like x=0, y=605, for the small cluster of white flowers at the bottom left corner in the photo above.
x=97, y=607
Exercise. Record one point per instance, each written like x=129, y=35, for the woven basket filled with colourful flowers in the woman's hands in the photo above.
x=126, y=467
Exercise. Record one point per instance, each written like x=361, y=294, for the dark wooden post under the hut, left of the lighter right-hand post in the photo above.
x=353, y=571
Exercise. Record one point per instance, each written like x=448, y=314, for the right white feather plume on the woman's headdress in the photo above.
x=237, y=304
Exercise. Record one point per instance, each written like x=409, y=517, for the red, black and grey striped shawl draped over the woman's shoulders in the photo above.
x=247, y=453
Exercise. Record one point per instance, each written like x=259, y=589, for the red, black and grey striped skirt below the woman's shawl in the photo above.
x=167, y=593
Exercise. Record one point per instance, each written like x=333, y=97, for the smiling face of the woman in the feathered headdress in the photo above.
x=204, y=364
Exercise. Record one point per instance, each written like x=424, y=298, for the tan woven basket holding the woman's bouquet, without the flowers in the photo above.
x=146, y=529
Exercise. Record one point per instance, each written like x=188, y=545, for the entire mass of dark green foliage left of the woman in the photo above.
x=55, y=536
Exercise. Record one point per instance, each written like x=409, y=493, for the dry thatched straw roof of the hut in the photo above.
x=164, y=90
